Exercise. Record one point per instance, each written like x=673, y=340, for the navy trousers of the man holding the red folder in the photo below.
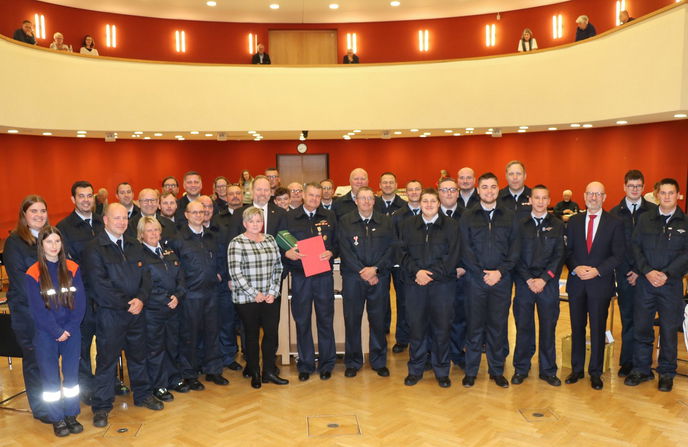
x=306, y=292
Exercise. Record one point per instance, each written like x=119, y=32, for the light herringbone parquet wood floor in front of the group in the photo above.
x=387, y=412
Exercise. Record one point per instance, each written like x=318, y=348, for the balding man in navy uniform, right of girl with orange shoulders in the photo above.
x=120, y=288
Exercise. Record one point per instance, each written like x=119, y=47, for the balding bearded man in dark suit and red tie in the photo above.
x=594, y=248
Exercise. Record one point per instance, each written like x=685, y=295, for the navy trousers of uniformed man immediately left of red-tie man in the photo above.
x=547, y=303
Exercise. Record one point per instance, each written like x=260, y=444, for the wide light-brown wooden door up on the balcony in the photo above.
x=303, y=47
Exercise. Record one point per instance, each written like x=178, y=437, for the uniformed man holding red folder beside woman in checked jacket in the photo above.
x=312, y=220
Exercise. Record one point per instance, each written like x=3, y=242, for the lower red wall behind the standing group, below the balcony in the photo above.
x=563, y=159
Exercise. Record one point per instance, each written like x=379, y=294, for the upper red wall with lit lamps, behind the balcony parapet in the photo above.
x=221, y=42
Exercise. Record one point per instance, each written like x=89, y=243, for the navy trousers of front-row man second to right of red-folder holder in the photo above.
x=430, y=310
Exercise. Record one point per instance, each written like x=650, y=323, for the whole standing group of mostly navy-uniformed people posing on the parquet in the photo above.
x=154, y=281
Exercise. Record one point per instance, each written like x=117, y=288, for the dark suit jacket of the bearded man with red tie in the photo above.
x=607, y=252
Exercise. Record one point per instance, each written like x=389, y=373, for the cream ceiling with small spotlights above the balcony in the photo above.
x=302, y=11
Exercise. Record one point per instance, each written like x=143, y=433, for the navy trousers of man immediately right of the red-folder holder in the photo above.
x=357, y=295
